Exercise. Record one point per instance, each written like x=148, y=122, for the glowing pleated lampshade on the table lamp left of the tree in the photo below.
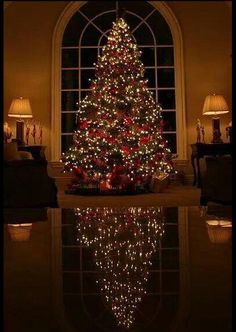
x=20, y=108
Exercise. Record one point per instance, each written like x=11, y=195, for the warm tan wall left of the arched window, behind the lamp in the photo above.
x=28, y=29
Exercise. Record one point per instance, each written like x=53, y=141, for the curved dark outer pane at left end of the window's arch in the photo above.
x=73, y=30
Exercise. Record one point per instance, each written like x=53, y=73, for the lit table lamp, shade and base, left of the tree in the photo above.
x=20, y=108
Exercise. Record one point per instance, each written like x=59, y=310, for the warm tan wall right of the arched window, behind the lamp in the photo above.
x=206, y=27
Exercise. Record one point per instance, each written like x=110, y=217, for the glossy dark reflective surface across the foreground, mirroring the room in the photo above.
x=118, y=269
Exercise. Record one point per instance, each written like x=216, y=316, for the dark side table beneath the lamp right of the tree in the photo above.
x=200, y=150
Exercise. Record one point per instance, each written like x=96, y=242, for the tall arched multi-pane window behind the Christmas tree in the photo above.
x=85, y=32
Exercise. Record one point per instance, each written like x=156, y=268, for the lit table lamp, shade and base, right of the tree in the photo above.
x=215, y=105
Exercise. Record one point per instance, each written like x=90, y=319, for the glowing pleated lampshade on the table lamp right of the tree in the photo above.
x=215, y=104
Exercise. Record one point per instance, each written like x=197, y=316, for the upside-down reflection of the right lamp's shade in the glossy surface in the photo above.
x=219, y=231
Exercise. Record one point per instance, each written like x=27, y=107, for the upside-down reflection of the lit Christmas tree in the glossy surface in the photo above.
x=124, y=241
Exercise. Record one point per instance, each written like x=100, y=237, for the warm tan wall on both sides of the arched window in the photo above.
x=206, y=28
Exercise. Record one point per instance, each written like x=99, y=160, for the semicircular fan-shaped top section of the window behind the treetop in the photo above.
x=148, y=26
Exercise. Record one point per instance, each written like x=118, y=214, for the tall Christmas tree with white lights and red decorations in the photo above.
x=118, y=141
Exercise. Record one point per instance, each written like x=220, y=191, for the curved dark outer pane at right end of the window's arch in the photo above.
x=160, y=28
